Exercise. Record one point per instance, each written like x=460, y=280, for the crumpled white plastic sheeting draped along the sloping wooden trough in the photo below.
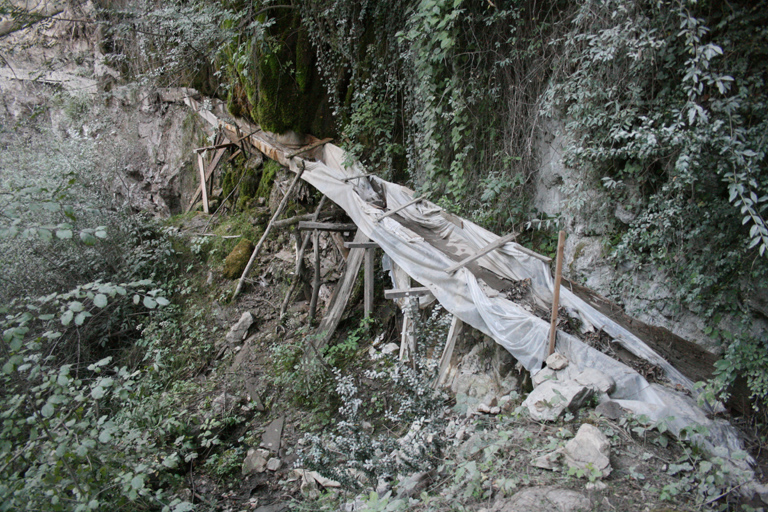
x=524, y=335
